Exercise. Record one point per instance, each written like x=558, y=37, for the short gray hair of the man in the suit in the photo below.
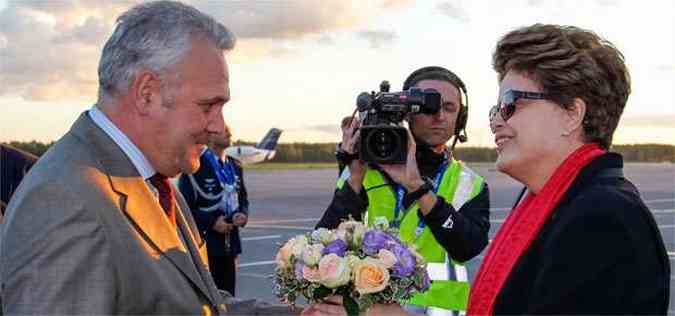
x=154, y=36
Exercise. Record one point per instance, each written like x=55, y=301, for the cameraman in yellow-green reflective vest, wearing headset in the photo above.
x=437, y=202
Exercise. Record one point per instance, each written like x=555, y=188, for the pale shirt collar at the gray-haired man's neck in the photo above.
x=137, y=158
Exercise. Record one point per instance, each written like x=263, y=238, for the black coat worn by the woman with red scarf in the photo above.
x=600, y=252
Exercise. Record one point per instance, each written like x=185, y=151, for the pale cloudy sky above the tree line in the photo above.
x=299, y=65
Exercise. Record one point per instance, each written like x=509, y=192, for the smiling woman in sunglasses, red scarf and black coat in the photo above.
x=580, y=240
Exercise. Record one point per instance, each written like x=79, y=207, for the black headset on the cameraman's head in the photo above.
x=440, y=73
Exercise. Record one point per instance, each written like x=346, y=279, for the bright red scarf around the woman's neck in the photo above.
x=521, y=227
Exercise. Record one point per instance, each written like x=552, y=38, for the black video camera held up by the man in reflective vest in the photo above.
x=383, y=138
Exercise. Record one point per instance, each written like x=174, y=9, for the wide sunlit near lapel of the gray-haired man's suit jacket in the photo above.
x=140, y=204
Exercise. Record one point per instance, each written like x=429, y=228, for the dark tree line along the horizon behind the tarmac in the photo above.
x=324, y=152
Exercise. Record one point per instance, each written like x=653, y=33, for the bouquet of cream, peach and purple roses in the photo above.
x=363, y=266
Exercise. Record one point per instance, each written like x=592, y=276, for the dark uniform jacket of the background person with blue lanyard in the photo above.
x=205, y=177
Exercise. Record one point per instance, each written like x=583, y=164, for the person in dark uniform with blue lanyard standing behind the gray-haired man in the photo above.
x=217, y=196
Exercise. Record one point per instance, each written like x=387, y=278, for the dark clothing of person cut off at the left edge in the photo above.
x=14, y=164
